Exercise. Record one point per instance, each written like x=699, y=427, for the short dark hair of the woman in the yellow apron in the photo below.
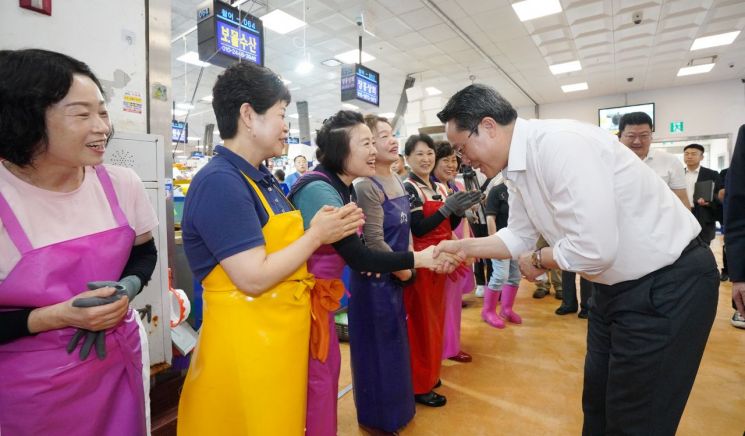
x=245, y=82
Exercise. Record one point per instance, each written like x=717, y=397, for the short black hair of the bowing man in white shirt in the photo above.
x=475, y=102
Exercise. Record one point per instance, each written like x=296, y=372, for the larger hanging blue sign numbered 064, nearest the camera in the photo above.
x=226, y=34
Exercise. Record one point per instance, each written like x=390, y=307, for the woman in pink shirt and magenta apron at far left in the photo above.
x=67, y=221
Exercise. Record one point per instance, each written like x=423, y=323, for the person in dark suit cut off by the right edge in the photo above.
x=734, y=222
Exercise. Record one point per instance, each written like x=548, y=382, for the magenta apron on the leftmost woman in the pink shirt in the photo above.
x=44, y=390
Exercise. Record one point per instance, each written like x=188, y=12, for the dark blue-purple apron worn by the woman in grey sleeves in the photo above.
x=378, y=339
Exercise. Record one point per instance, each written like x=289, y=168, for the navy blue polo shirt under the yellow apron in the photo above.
x=223, y=215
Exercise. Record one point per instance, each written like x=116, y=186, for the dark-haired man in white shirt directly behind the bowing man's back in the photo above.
x=635, y=132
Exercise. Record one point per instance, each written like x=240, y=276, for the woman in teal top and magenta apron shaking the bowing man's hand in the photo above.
x=345, y=152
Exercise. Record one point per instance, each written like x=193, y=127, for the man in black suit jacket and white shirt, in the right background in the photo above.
x=706, y=212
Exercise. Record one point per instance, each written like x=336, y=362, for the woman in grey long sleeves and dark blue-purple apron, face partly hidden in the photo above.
x=378, y=339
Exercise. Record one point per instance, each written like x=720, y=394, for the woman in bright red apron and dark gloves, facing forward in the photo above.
x=433, y=216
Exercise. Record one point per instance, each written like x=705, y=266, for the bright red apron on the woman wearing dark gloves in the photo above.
x=425, y=308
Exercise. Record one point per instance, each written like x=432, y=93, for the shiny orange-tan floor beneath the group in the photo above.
x=527, y=379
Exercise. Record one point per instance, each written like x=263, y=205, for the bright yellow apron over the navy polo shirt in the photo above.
x=249, y=371
